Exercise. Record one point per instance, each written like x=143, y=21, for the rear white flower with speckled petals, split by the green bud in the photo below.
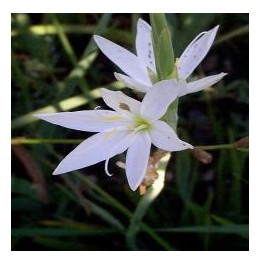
x=140, y=68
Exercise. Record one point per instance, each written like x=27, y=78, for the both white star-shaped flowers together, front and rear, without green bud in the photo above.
x=133, y=125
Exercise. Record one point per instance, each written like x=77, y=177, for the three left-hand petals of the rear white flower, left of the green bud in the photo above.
x=135, y=66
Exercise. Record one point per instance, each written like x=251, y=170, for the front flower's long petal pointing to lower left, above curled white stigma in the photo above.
x=91, y=151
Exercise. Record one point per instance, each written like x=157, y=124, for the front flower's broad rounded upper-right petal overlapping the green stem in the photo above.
x=159, y=97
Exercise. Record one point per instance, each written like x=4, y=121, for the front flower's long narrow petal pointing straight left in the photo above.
x=91, y=120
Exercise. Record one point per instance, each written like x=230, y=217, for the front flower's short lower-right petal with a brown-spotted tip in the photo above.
x=164, y=137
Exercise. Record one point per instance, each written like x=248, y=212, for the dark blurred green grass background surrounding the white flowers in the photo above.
x=57, y=67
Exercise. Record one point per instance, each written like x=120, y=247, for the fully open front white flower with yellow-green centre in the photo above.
x=133, y=125
